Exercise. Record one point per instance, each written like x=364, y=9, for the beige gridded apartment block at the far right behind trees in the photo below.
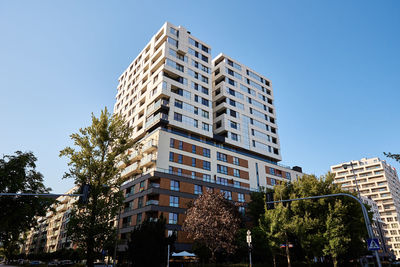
x=377, y=180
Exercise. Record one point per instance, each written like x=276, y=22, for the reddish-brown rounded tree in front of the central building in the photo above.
x=213, y=221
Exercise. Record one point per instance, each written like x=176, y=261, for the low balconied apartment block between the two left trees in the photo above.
x=50, y=233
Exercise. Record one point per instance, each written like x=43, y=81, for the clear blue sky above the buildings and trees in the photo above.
x=334, y=65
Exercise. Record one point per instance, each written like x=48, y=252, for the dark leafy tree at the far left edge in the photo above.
x=19, y=175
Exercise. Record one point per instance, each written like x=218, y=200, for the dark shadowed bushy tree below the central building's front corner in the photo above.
x=148, y=243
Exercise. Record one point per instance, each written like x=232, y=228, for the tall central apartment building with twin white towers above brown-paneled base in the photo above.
x=199, y=124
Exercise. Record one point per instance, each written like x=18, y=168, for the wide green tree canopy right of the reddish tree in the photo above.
x=330, y=227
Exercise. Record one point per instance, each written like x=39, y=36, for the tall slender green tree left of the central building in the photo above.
x=93, y=161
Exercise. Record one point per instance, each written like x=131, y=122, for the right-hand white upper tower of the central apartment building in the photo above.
x=243, y=107
